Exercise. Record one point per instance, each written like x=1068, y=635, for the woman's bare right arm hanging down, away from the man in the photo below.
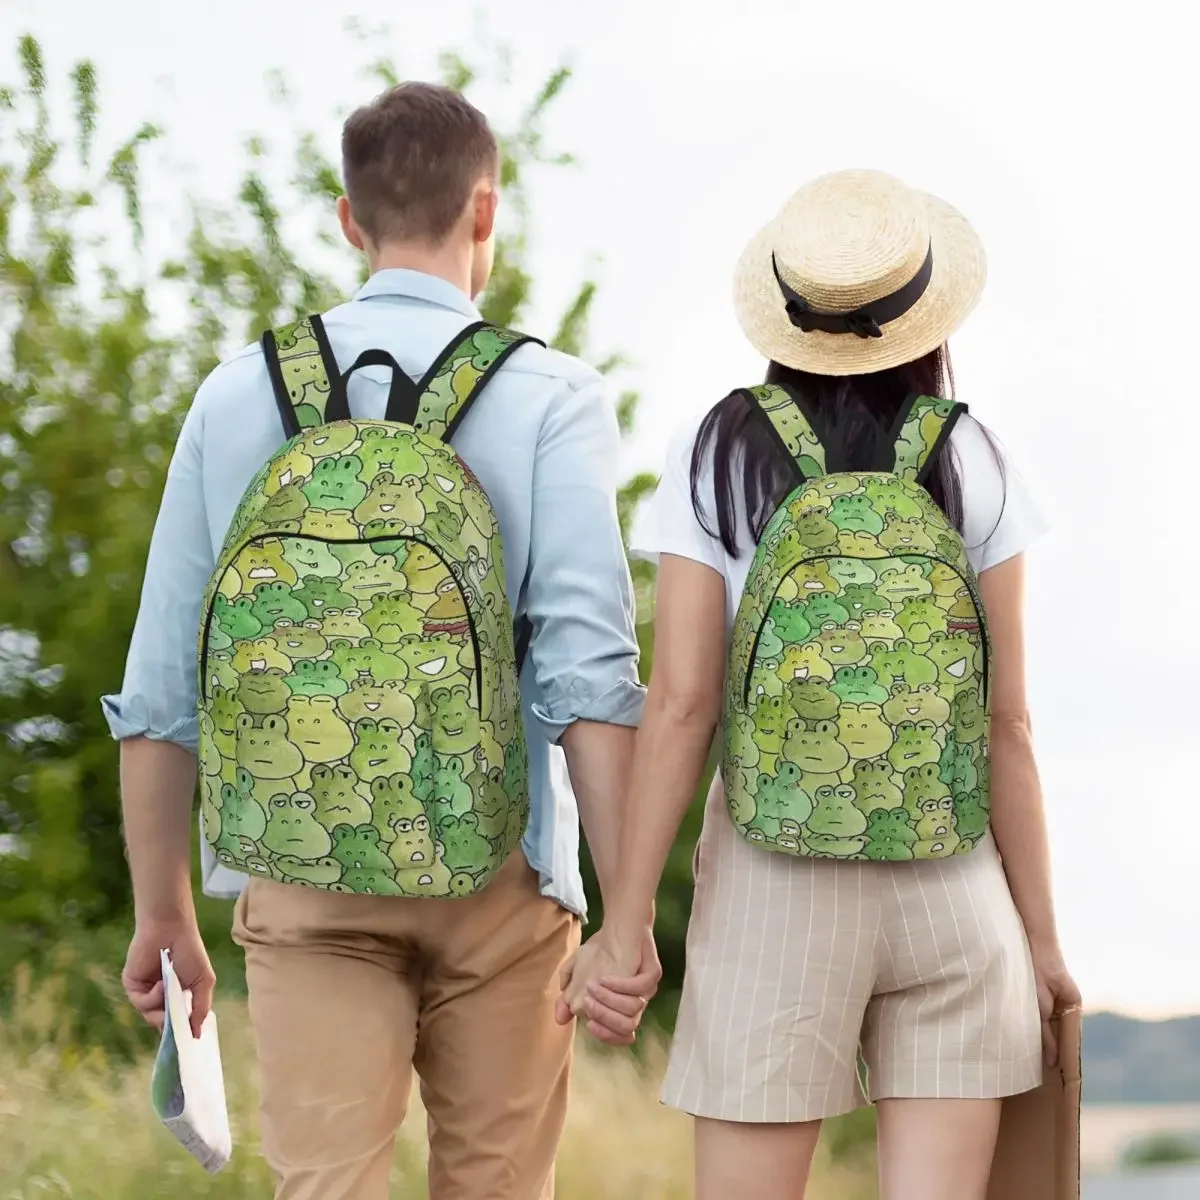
x=1018, y=815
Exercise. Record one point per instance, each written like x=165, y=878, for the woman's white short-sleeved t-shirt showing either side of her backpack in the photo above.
x=1000, y=517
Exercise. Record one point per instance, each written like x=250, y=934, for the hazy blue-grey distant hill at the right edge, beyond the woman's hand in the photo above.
x=1129, y=1061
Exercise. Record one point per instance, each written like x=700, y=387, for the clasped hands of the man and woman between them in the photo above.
x=610, y=987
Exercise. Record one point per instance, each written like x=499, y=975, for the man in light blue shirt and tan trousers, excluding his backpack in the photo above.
x=349, y=993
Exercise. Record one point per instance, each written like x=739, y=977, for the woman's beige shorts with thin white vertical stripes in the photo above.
x=807, y=975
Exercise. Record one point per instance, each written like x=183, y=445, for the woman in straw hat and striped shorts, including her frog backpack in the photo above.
x=853, y=897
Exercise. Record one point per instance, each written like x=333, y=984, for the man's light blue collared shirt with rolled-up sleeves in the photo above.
x=543, y=440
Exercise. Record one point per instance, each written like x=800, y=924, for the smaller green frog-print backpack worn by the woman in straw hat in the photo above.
x=857, y=706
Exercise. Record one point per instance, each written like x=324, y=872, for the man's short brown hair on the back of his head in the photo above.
x=411, y=160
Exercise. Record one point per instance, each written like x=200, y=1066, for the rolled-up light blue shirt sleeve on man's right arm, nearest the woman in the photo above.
x=580, y=597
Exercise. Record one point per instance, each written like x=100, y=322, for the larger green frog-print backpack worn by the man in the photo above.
x=359, y=703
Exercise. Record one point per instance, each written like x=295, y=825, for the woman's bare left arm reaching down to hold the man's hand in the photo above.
x=682, y=710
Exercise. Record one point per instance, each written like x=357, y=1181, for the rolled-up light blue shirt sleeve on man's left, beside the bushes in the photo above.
x=158, y=697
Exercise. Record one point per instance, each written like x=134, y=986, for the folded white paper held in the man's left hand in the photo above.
x=188, y=1088
